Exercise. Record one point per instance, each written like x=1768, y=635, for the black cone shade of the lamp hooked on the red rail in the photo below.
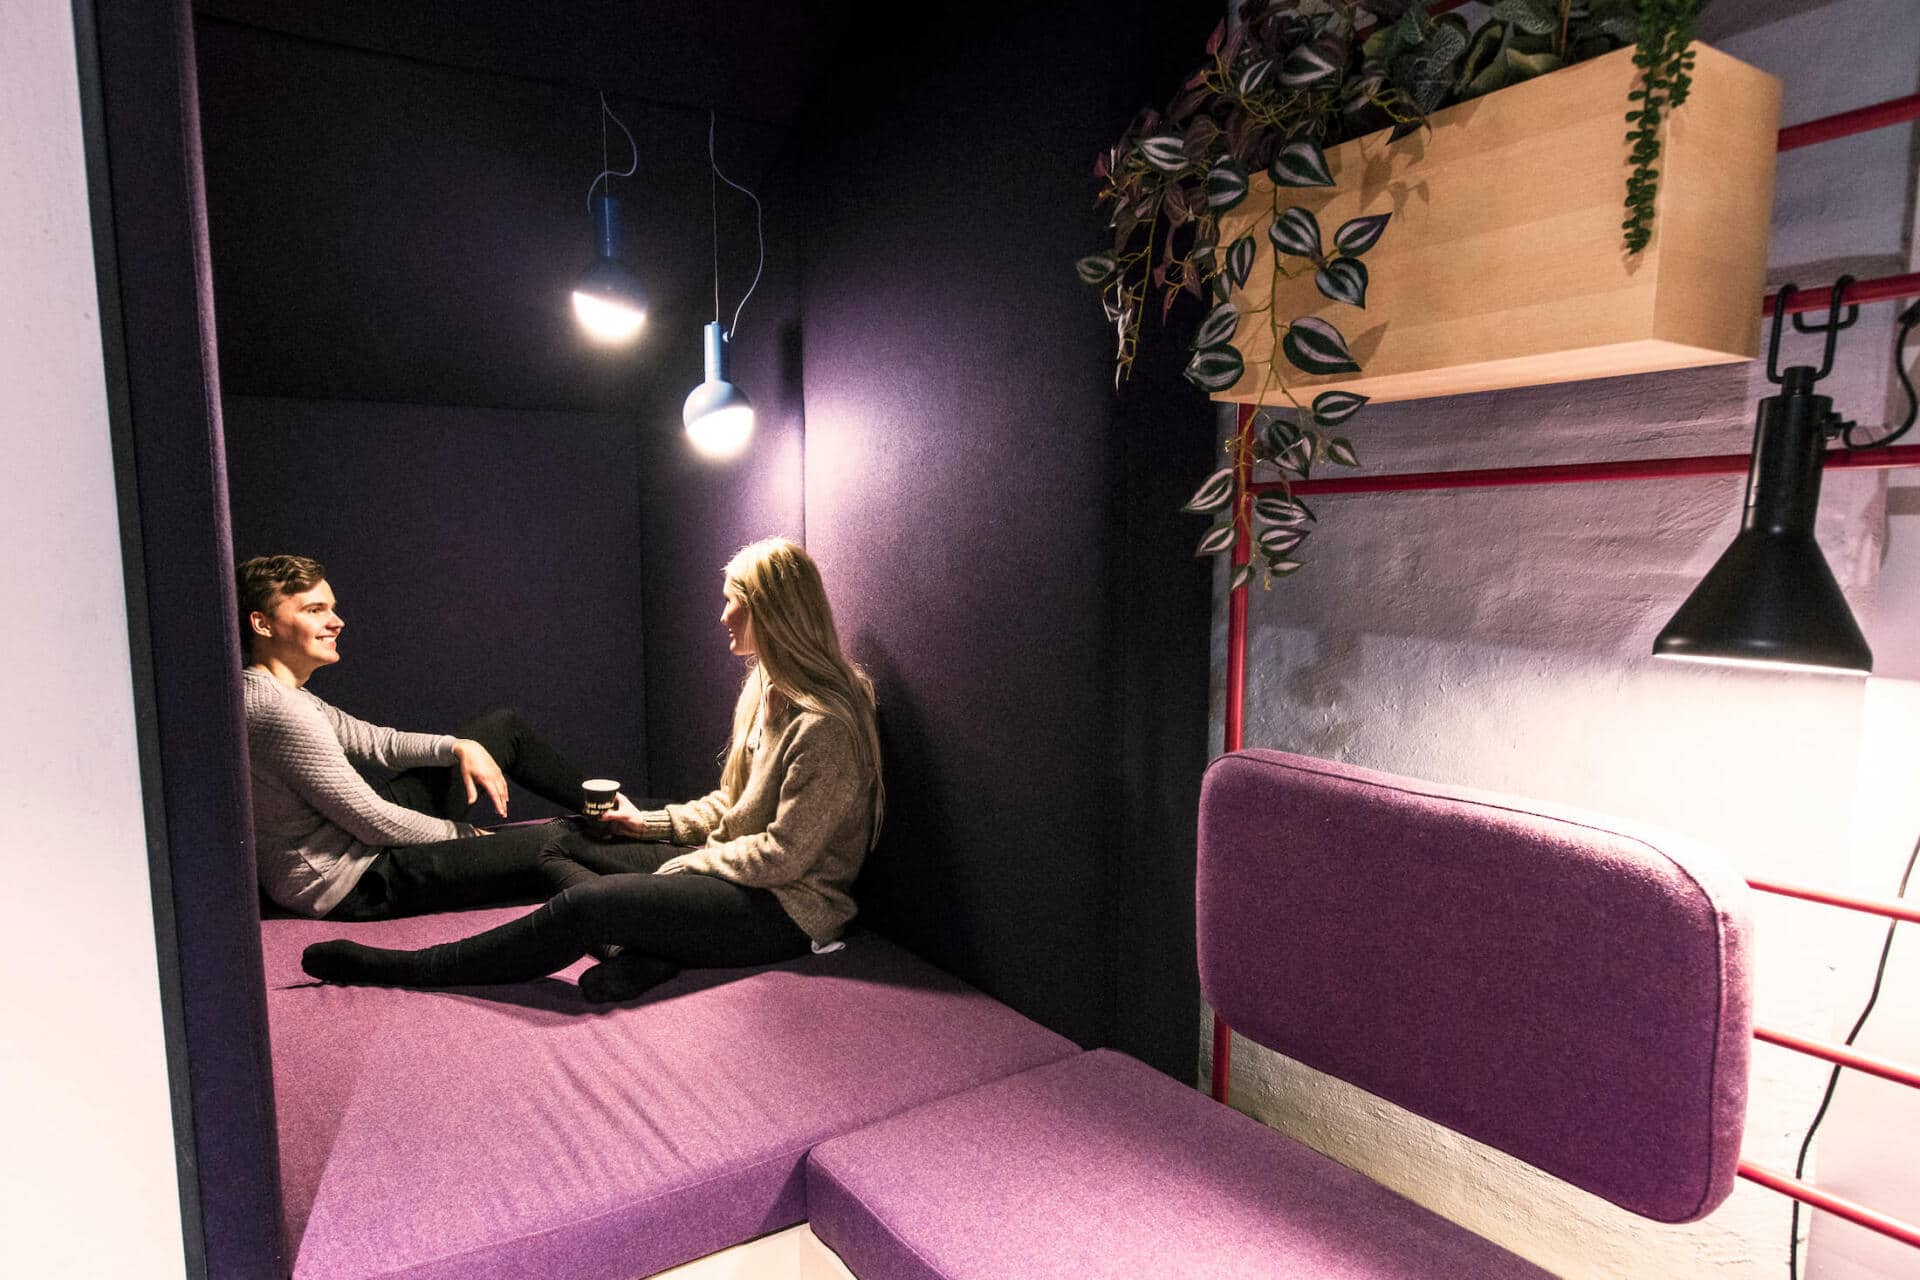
x=1769, y=600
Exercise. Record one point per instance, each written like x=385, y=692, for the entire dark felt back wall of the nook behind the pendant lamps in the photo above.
x=512, y=511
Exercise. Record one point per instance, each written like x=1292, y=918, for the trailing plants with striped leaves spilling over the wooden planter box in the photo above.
x=1274, y=93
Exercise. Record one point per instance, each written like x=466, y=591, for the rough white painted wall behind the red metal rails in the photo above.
x=1500, y=640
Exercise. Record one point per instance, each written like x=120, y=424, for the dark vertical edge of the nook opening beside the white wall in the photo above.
x=156, y=308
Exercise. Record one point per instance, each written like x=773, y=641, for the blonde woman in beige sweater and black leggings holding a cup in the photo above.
x=779, y=843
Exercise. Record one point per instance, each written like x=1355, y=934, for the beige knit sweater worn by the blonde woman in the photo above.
x=800, y=828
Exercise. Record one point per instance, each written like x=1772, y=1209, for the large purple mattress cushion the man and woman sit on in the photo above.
x=516, y=1131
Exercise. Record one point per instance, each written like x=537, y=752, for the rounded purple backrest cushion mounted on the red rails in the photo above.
x=1548, y=985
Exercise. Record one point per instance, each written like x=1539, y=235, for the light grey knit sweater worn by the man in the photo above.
x=316, y=820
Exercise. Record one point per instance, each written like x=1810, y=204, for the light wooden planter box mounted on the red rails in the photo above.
x=1504, y=262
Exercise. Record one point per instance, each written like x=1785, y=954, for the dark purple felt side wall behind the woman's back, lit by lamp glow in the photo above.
x=999, y=531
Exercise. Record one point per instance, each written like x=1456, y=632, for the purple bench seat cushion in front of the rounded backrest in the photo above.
x=1101, y=1168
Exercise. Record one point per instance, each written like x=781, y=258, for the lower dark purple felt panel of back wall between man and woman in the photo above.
x=460, y=588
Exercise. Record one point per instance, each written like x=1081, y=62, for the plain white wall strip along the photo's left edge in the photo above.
x=87, y=1175
